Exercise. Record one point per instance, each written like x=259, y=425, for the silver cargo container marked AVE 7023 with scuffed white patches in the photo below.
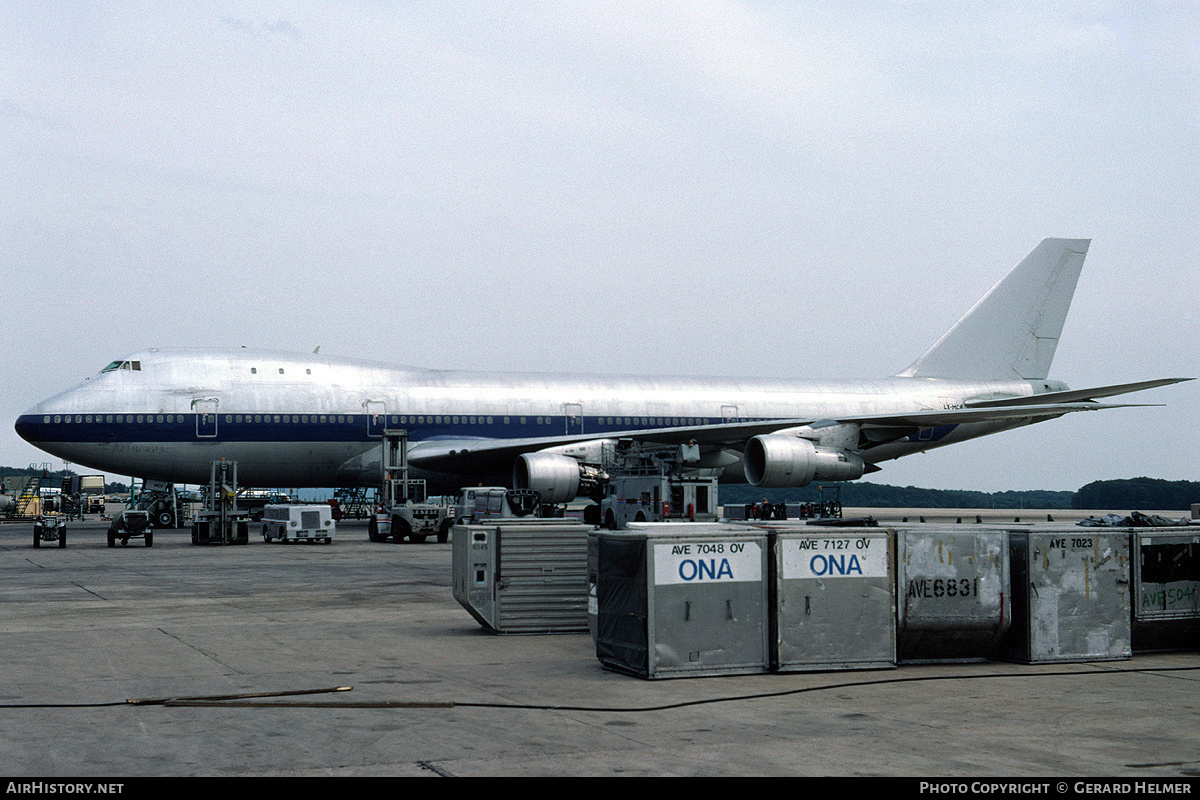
x=1071, y=596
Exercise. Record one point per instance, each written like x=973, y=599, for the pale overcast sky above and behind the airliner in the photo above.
x=747, y=189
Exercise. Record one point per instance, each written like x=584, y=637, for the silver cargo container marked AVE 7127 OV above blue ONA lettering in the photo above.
x=833, y=599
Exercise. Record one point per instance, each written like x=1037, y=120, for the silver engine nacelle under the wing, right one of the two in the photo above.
x=777, y=461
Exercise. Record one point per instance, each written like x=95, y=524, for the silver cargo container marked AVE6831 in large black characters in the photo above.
x=952, y=593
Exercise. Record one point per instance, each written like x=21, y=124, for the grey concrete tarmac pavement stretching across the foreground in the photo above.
x=87, y=629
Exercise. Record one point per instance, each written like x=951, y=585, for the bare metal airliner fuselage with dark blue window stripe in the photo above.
x=307, y=420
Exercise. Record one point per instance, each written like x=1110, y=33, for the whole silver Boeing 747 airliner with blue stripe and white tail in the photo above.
x=316, y=422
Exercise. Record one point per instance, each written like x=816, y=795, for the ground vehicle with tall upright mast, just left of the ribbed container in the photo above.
x=405, y=512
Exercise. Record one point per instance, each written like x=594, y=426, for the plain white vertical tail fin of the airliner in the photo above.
x=1012, y=333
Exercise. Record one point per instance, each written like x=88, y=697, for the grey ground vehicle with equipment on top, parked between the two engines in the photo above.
x=657, y=485
